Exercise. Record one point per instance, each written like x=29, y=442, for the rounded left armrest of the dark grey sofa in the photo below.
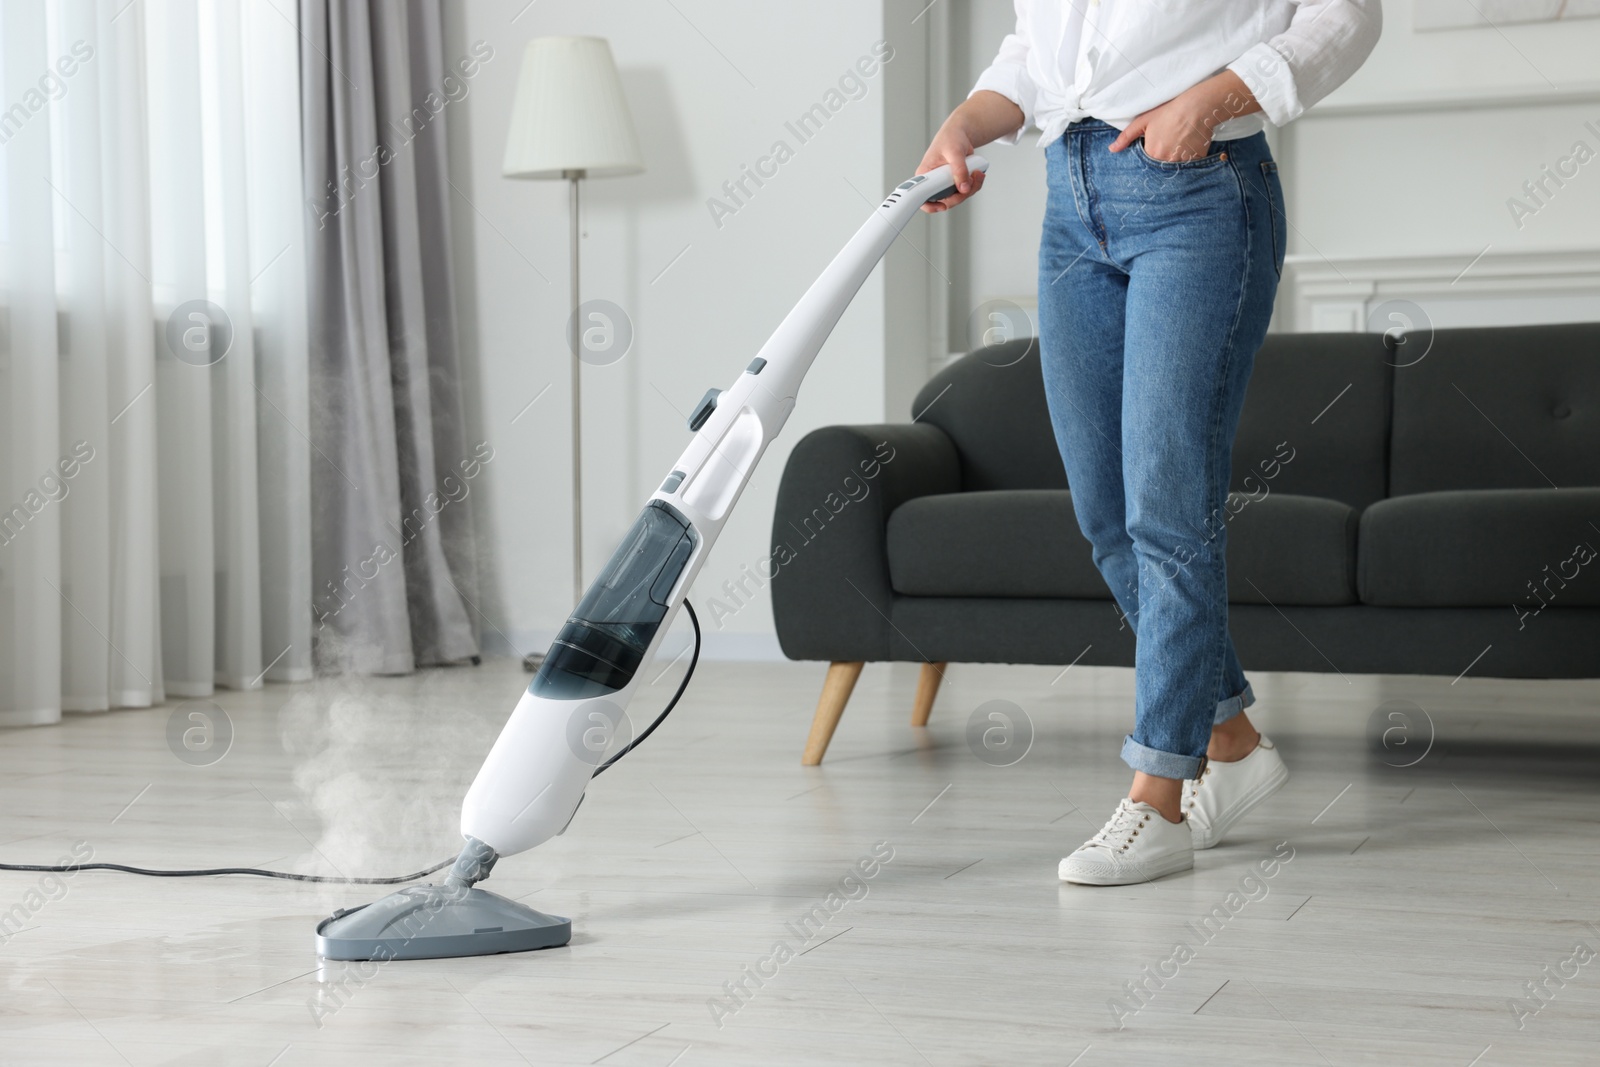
x=831, y=567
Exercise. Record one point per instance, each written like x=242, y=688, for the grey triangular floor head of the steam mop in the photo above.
x=439, y=922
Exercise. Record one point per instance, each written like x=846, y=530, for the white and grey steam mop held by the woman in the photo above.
x=534, y=780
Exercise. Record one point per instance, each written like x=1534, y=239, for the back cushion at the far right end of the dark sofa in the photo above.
x=1498, y=409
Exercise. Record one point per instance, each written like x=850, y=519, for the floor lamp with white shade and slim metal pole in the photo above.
x=570, y=121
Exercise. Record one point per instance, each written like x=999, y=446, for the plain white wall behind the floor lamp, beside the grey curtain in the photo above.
x=711, y=86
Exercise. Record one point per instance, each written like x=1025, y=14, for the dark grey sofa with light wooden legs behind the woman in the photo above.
x=1391, y=514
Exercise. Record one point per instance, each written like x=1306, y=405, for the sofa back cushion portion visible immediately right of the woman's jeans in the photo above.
x=1322, y=398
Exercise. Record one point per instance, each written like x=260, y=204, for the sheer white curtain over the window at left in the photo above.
x=154, y=511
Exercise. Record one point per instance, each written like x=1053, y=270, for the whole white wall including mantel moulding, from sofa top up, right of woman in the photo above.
x=1401, y=186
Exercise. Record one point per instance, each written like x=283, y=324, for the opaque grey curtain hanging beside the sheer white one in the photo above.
x=393, y=541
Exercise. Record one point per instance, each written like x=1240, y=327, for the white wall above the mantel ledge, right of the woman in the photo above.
x=1422, y=151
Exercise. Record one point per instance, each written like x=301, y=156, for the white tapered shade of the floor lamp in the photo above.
x=570, y=113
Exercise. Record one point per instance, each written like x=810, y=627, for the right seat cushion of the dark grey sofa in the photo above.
x=1482, y=548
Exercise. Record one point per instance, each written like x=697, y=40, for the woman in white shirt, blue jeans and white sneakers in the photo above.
x=1161, y=257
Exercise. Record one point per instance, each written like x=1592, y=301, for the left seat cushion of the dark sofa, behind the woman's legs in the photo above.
x=1026, y=545
